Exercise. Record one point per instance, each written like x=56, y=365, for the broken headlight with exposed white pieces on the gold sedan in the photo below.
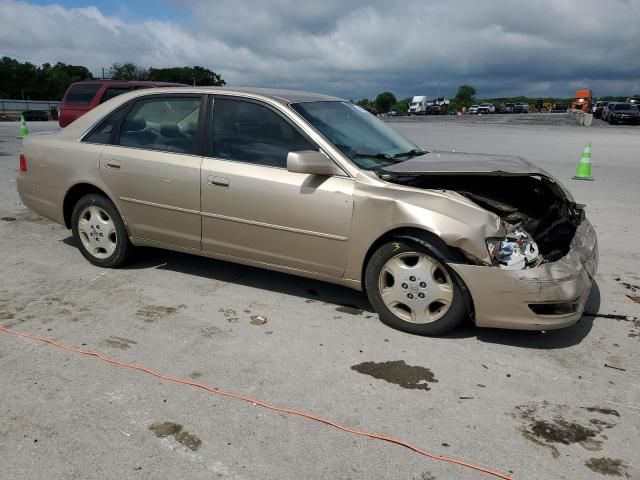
x=516, y=251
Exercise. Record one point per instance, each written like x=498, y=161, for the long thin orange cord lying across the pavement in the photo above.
x=261, y=404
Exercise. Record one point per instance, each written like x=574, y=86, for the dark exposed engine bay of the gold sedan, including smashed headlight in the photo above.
x=540, y=221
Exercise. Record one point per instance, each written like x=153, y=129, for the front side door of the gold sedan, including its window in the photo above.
x=253, y=208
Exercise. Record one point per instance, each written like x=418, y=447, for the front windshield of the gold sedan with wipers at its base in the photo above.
x=367, y=141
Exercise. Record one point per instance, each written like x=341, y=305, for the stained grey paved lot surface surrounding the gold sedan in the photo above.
x=561, y=405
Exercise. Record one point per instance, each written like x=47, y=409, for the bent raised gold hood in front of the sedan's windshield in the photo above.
x=437, y=162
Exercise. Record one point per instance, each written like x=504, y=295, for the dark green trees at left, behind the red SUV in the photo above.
x=26, y=81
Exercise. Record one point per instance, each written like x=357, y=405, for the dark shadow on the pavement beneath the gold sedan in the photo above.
x=346, y=298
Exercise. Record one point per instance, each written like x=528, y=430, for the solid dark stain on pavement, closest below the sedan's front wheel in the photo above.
x=398, y=373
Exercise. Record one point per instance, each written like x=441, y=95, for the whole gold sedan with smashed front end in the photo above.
x=315, y=186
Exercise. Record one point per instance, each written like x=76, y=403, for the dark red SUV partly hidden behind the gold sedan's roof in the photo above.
x=81, y=97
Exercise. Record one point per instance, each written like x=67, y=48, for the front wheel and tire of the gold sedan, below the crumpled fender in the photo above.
x=398, y=273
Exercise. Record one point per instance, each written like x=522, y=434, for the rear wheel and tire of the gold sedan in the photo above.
x=100, y=232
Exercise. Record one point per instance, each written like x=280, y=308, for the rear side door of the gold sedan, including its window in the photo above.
x=153, y=168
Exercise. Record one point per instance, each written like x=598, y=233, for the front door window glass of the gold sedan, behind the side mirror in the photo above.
x=248, y=132
